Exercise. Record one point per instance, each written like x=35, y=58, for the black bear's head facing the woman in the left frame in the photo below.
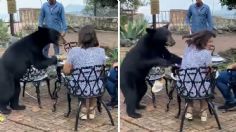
x=48, y=35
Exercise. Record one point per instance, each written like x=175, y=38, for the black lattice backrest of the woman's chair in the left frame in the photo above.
x=87, y=82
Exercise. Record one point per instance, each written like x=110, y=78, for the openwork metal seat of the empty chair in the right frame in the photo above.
x=155, y=73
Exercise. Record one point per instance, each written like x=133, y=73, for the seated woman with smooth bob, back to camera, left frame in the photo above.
x=88, y=54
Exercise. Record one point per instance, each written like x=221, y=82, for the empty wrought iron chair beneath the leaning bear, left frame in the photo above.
x=36, y=77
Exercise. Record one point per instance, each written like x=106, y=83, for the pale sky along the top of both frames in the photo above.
x=165, y=5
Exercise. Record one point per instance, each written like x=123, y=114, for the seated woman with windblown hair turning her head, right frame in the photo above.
x=197, y=54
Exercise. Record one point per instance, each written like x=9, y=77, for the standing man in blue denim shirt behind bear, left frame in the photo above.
x=52, y=15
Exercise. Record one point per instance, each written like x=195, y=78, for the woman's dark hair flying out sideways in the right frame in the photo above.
x=199, y=39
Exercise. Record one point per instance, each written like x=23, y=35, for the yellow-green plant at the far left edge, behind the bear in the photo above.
x=4, y=36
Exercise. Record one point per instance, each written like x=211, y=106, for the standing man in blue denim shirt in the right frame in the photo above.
x=199, y=17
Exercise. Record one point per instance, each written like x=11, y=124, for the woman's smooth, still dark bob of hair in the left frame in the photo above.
x=88, y=37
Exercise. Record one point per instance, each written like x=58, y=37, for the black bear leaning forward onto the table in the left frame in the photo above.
x=15, y=61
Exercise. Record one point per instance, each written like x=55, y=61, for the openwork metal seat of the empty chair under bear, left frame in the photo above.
x=32, y=74
